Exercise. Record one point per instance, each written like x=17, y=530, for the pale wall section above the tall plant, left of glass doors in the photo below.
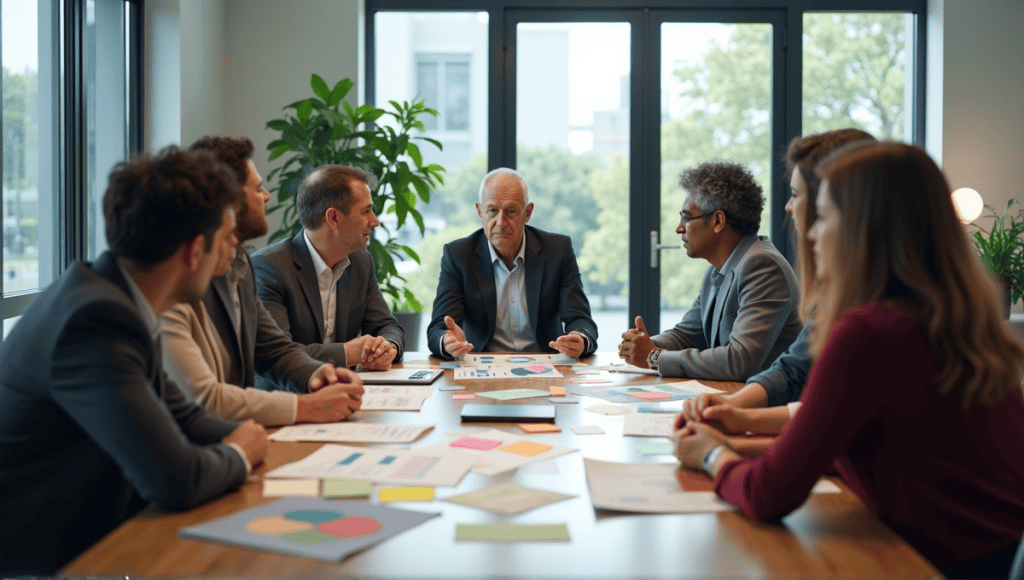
x=273, y=48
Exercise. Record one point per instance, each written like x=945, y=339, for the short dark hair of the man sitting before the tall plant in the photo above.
x=327, y=187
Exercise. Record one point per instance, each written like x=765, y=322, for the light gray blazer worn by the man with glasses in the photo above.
x=755, y=318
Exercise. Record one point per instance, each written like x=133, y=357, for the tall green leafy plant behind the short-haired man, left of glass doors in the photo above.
x=324, y=130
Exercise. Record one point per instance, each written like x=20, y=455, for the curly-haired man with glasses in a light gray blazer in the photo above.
x=746, y=315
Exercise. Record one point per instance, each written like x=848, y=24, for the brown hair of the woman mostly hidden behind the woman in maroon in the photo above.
x=803, y=155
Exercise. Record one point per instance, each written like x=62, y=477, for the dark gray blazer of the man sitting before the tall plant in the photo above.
x=288, y=286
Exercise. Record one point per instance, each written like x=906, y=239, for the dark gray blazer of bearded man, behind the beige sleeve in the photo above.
x=263, y=349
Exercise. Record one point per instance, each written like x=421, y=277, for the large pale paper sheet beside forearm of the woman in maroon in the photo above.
x=649, y=488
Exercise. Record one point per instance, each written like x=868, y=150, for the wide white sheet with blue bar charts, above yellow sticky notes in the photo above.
x=380, y=466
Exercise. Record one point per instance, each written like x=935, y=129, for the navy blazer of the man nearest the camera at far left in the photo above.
x=92, y=428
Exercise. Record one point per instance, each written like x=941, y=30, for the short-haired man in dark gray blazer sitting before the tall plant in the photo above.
x=320, y=285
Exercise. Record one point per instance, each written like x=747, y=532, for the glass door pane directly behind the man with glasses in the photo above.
x=716, y=88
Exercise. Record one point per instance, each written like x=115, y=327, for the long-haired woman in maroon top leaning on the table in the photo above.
x=915, y=395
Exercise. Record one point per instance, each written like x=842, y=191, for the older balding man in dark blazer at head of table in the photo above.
x=509, y=287
